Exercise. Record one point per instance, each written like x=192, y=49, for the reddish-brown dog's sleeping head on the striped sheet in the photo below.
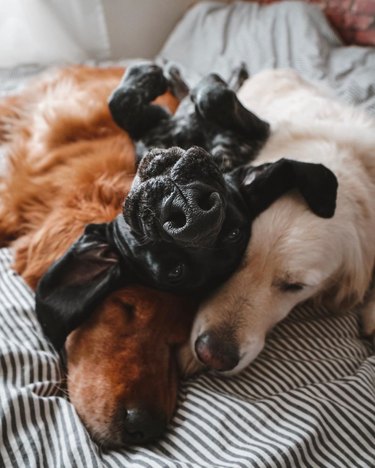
x=122, y=373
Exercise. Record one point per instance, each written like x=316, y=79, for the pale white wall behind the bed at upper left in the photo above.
x=45, y=31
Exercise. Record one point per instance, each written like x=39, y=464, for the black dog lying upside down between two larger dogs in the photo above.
x=185, y=224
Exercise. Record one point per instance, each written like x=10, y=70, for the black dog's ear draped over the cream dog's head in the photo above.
x=264, y=184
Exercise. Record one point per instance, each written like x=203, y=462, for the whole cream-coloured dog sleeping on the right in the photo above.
x=294, y=255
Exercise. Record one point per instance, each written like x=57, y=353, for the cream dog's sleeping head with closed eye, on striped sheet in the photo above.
x=292, y=256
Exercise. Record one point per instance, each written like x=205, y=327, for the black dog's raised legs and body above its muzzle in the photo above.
x=211, y=116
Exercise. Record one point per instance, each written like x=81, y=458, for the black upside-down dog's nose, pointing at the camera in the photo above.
x=193, y=214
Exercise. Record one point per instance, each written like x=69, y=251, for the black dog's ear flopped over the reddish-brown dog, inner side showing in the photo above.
x=71, y=288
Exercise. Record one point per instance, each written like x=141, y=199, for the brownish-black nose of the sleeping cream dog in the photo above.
x=217, y=353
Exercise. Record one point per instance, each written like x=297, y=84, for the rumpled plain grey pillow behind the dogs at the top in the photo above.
x=214, y=37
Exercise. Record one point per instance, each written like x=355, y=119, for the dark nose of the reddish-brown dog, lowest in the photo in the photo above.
x=142, y=426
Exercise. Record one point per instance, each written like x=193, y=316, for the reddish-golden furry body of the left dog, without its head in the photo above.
x=68, y=161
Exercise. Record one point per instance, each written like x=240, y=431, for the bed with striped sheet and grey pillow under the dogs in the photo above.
x=309, y=398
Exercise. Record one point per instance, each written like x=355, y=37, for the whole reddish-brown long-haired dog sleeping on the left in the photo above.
x=70, y=165
